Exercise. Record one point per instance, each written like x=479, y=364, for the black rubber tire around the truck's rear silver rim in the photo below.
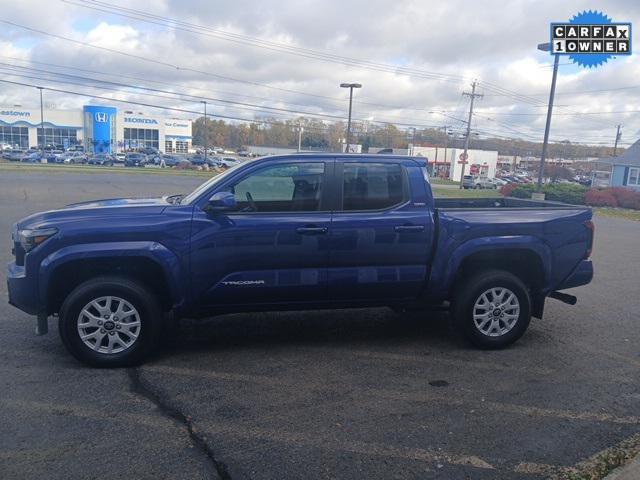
x=470, y=290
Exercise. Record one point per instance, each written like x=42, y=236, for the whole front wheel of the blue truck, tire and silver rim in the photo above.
x=110, y=322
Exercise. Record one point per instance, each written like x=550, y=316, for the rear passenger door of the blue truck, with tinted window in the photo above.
x=381, y=231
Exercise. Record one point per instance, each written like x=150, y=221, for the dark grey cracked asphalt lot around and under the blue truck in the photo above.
x=340, y=394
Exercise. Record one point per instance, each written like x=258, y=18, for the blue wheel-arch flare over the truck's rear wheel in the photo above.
x=449, y=265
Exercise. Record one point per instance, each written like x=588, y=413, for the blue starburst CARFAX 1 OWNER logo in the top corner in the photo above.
x=591, y=38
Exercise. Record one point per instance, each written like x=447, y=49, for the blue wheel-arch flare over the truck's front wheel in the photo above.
x=154, y=251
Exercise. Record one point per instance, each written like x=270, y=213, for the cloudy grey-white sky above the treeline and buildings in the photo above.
x=251, y=60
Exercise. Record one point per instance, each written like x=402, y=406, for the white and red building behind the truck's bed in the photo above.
x=447, y=162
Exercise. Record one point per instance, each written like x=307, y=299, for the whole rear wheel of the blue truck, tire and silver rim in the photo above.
x=492, y=309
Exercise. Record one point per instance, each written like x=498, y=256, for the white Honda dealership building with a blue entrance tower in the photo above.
x=97, y=128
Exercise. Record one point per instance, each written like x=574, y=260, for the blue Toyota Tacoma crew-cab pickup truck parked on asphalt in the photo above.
x=294, y=232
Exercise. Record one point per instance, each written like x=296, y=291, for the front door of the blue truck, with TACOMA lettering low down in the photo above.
x=273, y=247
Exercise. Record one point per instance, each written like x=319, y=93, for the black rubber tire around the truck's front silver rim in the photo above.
x=145, y=302
